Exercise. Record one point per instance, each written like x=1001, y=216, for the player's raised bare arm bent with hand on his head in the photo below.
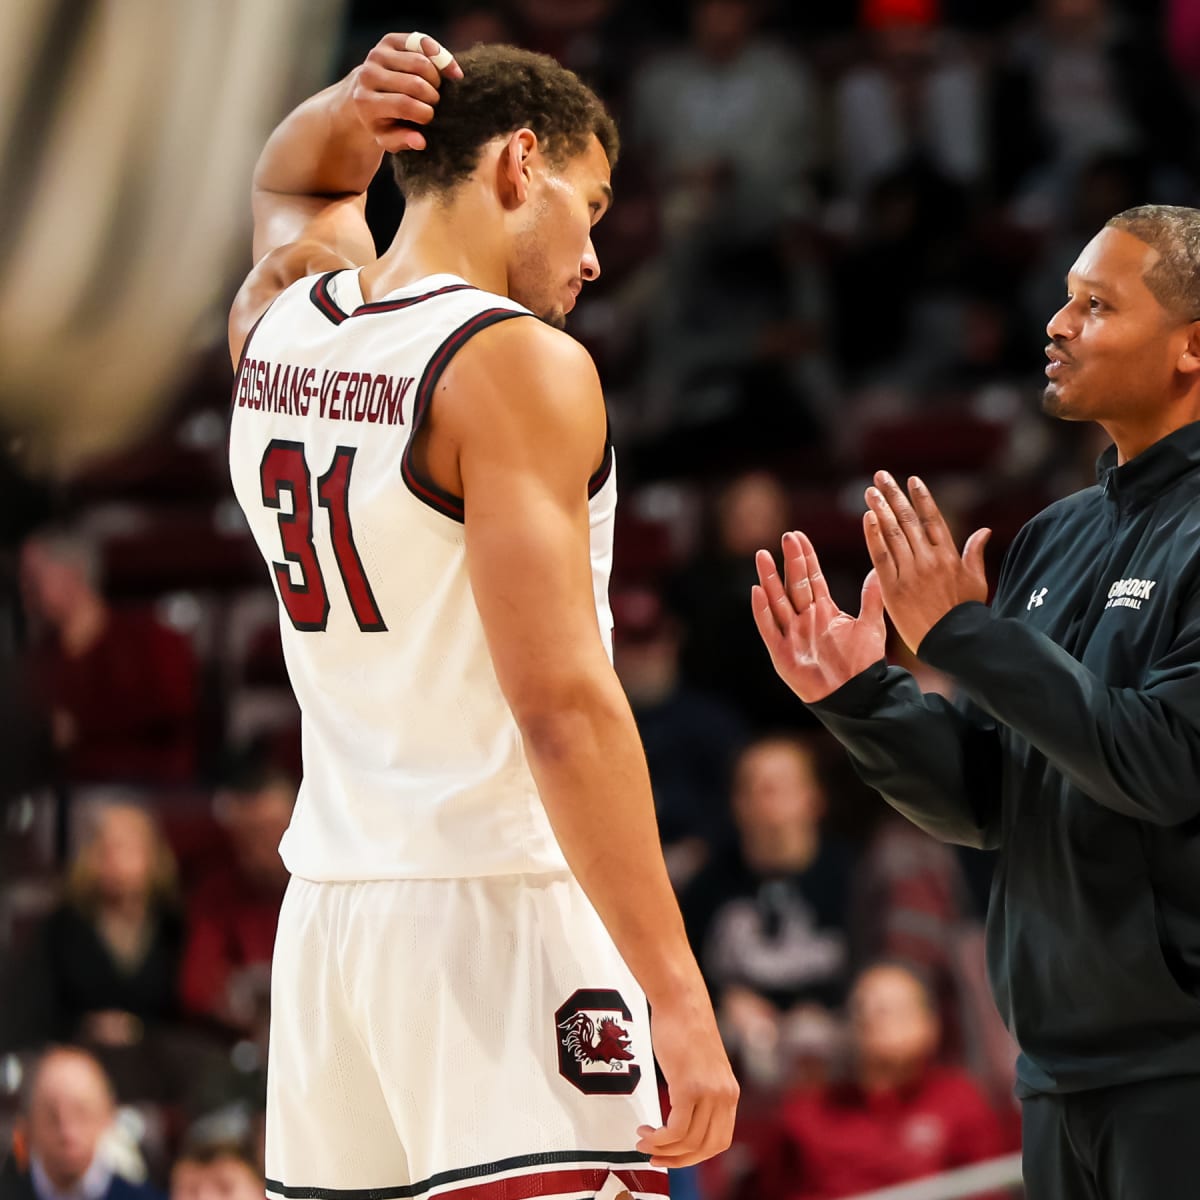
x=310, y=185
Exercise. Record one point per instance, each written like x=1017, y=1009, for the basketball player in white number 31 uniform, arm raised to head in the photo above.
x=479, y=908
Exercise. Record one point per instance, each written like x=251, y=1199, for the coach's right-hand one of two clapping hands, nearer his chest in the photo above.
x=920, y=571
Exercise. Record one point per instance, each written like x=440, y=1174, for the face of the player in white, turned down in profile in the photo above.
x=554, y=256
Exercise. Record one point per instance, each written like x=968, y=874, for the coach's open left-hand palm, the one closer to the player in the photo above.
x=814, y=646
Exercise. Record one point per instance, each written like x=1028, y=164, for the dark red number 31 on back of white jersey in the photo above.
x=285, y=470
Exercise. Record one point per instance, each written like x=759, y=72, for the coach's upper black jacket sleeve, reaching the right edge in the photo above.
x=1136, y=752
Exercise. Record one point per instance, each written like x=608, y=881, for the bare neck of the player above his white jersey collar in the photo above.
x=464, y=237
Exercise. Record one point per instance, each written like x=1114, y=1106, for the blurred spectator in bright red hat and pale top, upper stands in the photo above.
x=917, y=99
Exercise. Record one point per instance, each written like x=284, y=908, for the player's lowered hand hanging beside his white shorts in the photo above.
x=700, y=1083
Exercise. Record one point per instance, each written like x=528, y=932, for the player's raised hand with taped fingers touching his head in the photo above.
x=399, y=87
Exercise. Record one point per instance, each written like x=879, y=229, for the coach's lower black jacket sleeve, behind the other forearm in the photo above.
x=934, y=763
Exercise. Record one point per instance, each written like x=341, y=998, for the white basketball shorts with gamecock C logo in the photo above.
x=476, y=1040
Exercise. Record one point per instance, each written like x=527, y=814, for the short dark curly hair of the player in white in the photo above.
x=503, y=89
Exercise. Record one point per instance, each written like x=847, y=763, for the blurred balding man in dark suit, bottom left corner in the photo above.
x=67, y=1149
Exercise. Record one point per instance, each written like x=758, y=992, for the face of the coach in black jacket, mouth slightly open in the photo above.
x=1114, y=350
